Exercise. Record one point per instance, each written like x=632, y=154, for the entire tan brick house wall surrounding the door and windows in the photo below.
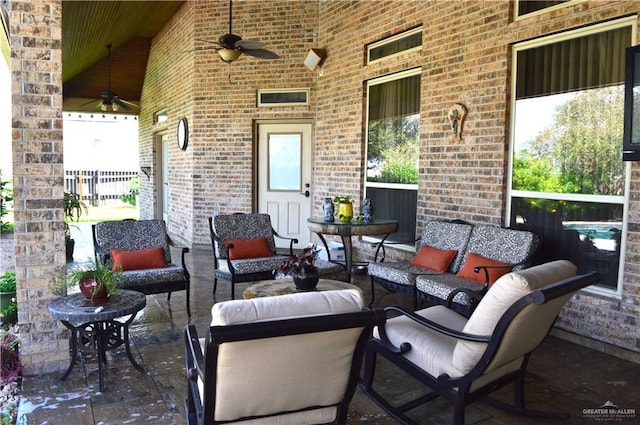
x=465, y=59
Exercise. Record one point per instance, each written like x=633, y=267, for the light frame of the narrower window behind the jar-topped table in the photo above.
x=400, y=186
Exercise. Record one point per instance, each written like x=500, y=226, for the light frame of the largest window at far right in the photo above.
x=619, y=200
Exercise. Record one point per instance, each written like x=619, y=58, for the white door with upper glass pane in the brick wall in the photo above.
x=284, y=178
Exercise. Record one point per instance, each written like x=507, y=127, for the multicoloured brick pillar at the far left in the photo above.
x=38, y=177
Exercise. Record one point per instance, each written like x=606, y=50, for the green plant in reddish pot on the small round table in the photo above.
x=96, y=281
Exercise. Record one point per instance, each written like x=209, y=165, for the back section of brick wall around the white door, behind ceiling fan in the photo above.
x=219, y=100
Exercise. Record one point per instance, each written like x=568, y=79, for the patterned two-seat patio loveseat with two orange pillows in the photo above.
x=456, y=263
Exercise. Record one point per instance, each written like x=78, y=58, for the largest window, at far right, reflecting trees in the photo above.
x=568, y=182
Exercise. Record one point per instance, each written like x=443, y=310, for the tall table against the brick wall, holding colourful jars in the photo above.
x=347, y=230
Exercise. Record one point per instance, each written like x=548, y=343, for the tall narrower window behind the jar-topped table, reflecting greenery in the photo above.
x=393, y=134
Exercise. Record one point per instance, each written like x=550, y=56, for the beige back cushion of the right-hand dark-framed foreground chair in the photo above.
x=528, y=329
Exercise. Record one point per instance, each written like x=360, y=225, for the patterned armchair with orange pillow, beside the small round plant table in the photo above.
x=136, y=243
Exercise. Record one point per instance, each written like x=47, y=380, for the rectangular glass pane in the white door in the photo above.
x=285, y=162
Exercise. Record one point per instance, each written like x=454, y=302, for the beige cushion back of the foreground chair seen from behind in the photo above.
x=265, y=376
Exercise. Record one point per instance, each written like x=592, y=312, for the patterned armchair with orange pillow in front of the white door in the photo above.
x=244, y=248
